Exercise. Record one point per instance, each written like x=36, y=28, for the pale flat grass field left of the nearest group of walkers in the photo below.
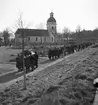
x=7, y=55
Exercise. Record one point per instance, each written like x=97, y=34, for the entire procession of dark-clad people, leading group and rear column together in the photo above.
x=53, y=52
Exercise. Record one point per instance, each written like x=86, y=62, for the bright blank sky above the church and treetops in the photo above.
x=68, y=13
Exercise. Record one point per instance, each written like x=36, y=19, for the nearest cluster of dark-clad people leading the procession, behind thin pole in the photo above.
x=30, y=60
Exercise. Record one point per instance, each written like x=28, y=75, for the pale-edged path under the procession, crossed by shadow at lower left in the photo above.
x=9, y=78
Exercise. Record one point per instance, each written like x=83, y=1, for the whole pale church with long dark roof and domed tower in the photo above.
x=38, y=35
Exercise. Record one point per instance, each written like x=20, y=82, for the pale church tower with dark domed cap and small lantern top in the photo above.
x=51, y=25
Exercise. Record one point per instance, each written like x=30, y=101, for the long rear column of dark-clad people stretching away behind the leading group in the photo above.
x=55, y=52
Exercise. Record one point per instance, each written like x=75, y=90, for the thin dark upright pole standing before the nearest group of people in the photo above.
x=24, y=73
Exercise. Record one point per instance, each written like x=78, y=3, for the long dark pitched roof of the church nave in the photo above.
x=33, y=32
